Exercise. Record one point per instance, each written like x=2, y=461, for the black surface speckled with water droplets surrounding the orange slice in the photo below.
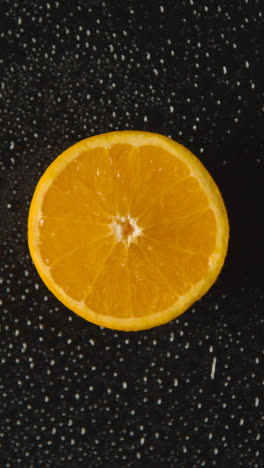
x=73, y=394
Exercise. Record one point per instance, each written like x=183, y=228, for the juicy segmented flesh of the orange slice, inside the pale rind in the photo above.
x=126, y=230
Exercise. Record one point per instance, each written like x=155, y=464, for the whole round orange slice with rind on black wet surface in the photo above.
x=128, y=229
